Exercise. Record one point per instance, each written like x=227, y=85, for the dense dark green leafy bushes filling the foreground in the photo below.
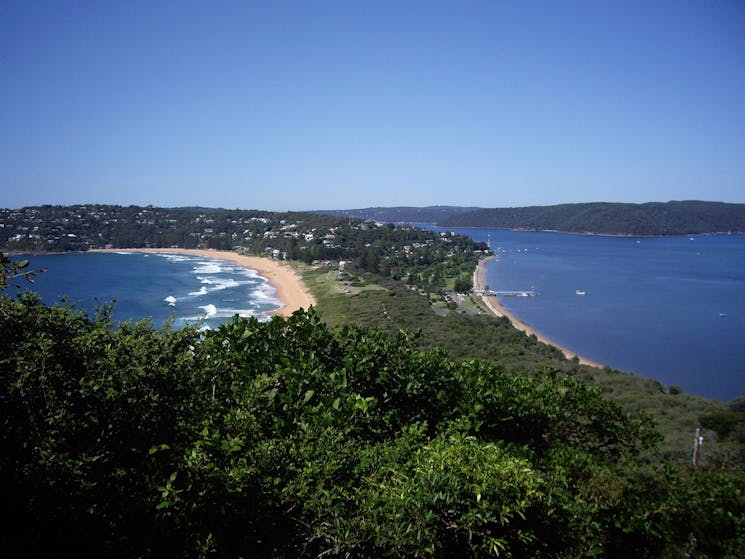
x=289, y=438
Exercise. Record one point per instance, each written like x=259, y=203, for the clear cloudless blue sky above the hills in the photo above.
x=313, y=104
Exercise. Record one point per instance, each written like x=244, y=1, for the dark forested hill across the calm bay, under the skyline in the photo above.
x=654, y=218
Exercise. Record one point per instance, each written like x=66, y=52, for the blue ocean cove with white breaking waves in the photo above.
x=185, y=288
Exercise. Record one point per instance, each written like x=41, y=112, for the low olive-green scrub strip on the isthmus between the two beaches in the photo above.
x=392, y=307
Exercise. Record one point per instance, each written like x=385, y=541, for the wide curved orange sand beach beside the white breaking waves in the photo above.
x=290, y=288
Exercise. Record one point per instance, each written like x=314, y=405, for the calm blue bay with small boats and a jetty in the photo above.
x=668, y=308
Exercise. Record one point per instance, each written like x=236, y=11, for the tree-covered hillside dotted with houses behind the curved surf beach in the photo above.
x=423, y=259
